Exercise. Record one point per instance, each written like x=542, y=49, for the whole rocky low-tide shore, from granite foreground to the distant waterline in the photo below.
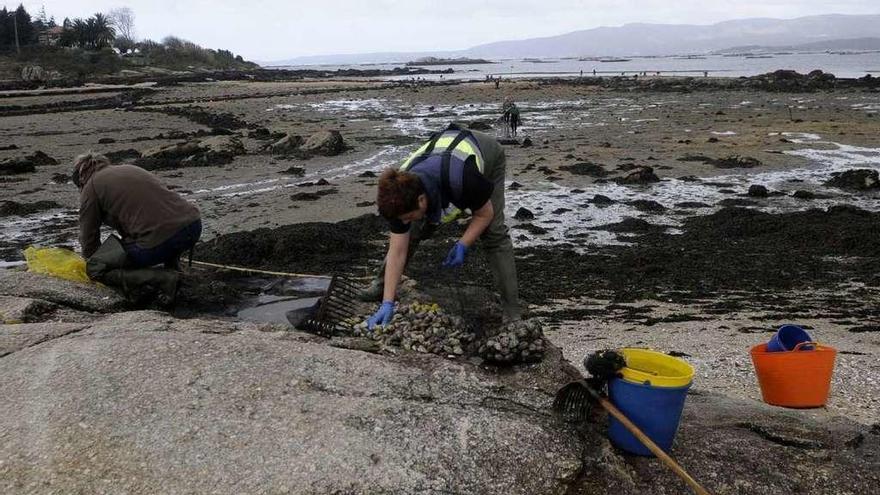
x=690, y=216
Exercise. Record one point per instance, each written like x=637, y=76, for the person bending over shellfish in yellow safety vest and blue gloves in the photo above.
x=456, y=169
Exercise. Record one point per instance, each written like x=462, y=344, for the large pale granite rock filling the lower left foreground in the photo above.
x=152, y=404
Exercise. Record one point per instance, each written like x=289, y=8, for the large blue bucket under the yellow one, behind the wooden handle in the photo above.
x=655, y=410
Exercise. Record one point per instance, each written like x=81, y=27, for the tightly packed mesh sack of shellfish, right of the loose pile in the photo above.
x=517, y=342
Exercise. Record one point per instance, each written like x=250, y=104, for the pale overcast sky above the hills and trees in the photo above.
x=269, y=30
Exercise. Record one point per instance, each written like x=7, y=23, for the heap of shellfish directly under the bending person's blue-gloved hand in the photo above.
x=423, y=328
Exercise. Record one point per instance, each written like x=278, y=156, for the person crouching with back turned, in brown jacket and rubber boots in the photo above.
x=154, y=225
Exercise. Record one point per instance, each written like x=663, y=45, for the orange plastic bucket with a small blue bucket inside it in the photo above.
x=797, y=378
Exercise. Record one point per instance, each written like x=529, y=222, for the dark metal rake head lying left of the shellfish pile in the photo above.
x=336, y=311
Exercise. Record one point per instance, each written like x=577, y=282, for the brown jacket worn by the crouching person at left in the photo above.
x=135, y=203
